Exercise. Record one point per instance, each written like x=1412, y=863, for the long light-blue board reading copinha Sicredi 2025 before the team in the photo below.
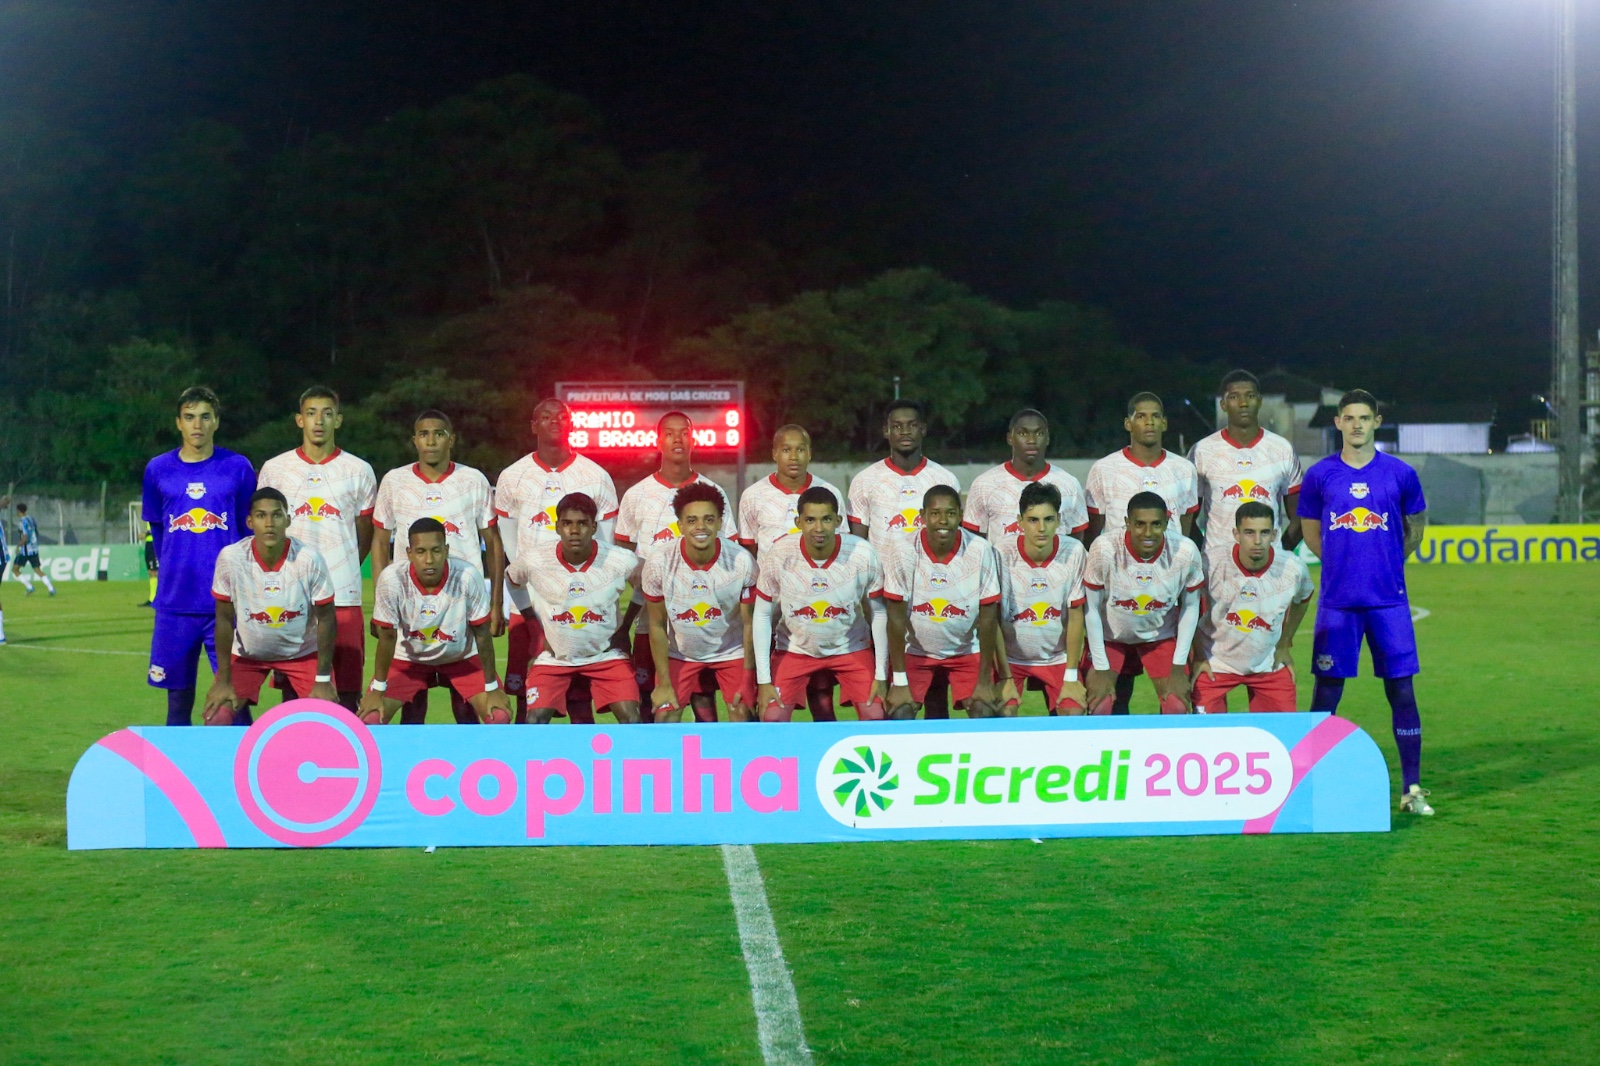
x=311, y=775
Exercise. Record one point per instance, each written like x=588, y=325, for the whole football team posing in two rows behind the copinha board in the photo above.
x=906, y=595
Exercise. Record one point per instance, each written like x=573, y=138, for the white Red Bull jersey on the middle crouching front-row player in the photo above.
x=820, y=603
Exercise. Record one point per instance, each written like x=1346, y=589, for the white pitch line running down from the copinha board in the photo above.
x=777, y=1008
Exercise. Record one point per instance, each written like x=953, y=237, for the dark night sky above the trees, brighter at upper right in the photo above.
x=1254, y=183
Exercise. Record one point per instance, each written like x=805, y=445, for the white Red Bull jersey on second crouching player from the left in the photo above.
x=433, y=628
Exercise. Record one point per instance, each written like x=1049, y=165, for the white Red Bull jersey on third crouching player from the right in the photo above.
x=1036, y=598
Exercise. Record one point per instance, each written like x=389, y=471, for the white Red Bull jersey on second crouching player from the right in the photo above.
x=1143, y=595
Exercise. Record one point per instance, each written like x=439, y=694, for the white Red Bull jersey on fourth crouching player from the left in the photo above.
x=703, y=603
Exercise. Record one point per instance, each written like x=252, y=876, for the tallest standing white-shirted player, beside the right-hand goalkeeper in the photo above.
x=1244, y=463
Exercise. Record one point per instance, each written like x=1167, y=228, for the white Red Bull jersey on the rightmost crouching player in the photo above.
x=1242, y=630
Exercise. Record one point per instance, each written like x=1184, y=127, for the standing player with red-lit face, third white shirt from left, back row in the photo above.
x=526, y=500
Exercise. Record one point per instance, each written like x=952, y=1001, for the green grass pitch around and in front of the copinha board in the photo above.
x=1466, y=939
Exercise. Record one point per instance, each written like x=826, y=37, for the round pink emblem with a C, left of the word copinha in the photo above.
x=308, y=774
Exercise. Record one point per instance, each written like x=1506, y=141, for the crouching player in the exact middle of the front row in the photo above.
x=828, y=593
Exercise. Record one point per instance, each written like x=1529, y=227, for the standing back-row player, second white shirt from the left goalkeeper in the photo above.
x=460, y=500
